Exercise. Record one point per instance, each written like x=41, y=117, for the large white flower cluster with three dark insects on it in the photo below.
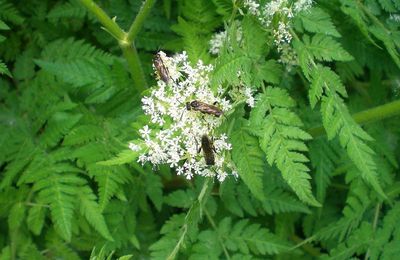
x=176, y=134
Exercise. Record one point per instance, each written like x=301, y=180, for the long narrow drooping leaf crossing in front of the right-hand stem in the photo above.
x=326, y=86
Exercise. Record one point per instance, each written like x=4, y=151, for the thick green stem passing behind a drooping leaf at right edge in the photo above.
x=370, y=115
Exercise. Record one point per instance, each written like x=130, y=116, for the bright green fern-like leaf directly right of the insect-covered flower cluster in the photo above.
x=282, y=139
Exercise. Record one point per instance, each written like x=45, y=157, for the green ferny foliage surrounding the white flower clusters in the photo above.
x=317, y=156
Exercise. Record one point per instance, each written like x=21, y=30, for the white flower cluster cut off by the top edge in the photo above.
x=285, y=10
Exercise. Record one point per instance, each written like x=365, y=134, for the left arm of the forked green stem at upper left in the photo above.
x=109, y=24
